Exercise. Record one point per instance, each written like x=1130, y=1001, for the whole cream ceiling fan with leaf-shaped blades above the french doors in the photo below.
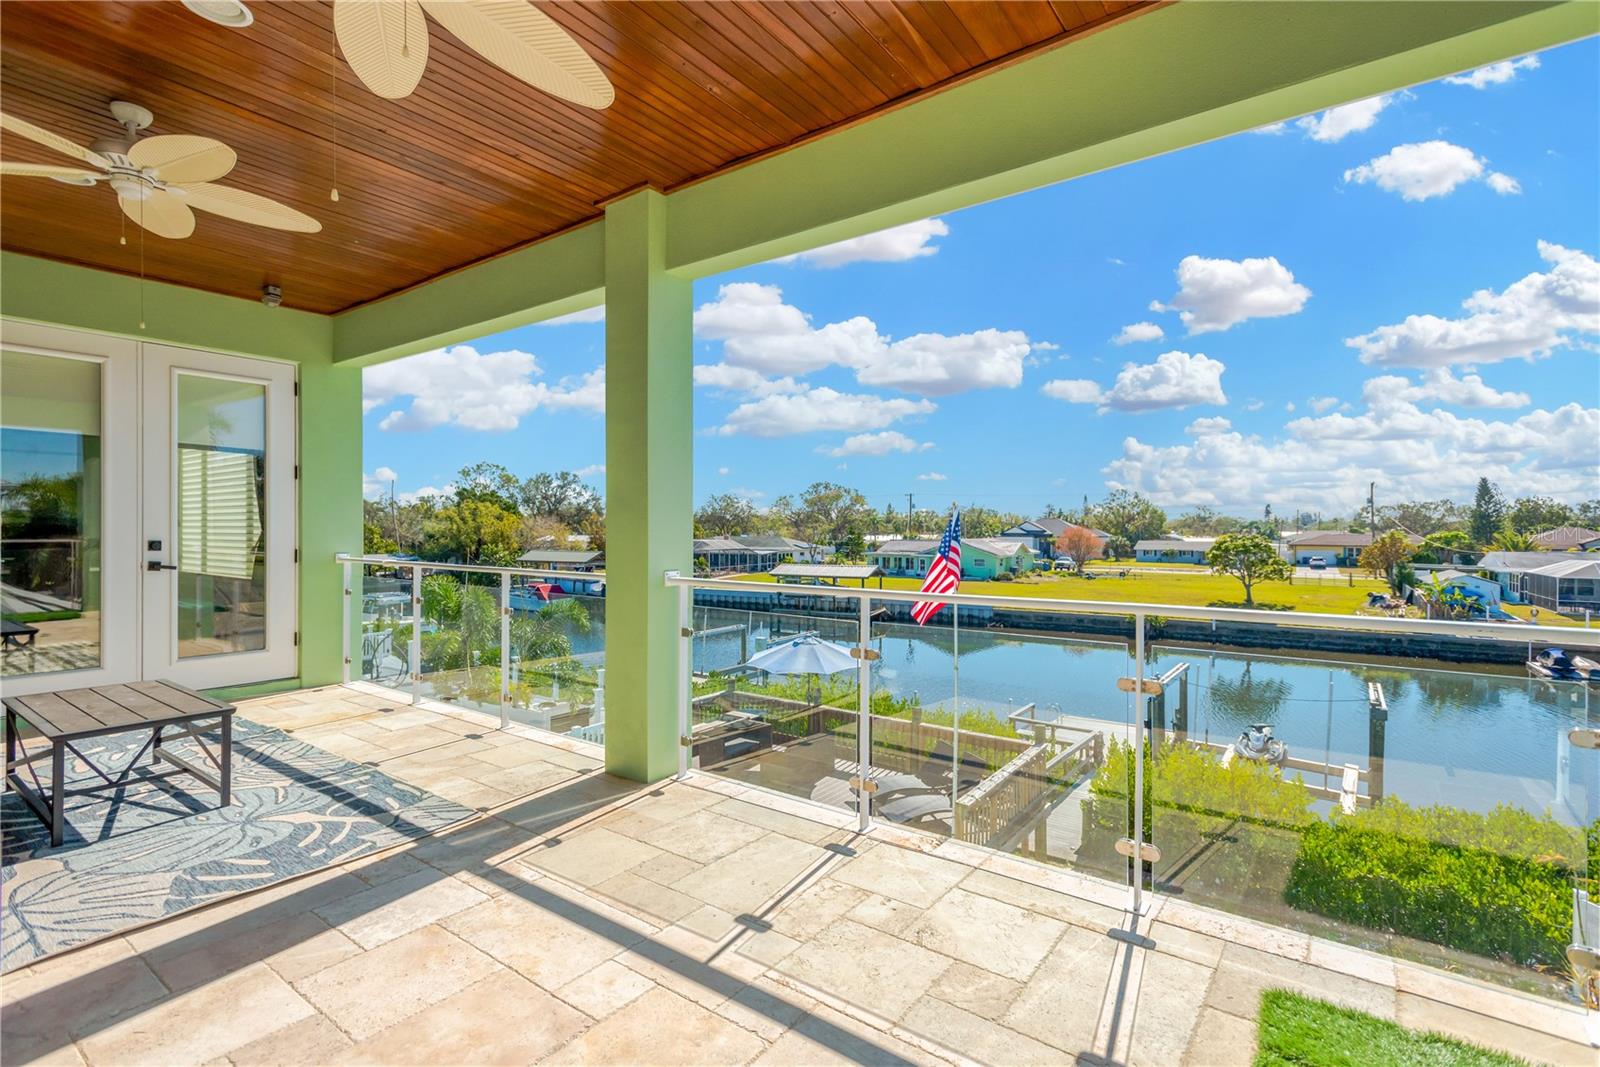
x=158, y=180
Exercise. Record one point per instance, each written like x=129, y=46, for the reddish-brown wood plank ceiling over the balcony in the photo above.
x=474, y=162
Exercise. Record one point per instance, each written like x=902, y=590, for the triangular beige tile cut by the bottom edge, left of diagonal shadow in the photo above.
x=662, y=1029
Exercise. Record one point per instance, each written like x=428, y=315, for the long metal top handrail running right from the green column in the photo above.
x=1495, y=631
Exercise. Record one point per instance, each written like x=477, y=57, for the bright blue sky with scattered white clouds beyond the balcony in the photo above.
x=1399, y=290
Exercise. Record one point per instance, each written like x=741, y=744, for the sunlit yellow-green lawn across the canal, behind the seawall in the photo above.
x=1180, y=588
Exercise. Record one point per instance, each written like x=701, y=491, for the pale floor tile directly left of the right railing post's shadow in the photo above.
x=1062, y=1002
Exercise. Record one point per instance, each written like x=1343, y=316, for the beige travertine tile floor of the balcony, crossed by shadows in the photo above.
x=585, y=919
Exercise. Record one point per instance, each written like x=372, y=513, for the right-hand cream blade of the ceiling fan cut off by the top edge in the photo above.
x=522, y=41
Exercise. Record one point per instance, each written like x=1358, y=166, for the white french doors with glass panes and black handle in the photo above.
x=150, y=510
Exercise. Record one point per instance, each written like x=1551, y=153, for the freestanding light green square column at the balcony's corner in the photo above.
x=650, y=418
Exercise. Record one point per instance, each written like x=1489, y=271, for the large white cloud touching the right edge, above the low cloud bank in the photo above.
x=1534, y=316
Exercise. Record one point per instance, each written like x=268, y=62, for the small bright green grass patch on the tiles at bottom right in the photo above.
x=1303, y=1033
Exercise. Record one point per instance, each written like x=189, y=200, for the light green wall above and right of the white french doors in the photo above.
x=330, y=415
